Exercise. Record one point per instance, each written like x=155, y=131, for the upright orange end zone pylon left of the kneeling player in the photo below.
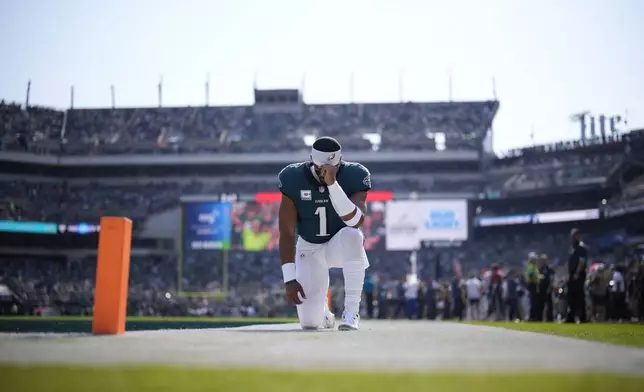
x=112, y=274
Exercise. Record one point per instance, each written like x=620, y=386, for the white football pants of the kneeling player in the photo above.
x=312, y=262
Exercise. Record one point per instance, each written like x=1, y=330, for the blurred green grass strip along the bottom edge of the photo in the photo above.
x=159, y=379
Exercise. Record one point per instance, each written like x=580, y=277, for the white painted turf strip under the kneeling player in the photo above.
x=385, y=346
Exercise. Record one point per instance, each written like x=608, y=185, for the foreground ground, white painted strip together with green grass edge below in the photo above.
x=383, y=356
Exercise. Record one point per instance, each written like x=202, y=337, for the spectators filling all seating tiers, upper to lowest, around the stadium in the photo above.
x=246, y=281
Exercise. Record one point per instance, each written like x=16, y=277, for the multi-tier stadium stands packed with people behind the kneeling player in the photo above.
x=604, y=174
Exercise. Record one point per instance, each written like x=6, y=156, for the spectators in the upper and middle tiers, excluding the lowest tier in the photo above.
x=241, y=129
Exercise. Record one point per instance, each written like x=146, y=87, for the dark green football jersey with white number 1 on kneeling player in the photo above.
x=317, y=220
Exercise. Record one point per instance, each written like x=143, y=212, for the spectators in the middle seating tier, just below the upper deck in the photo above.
x=35, y=199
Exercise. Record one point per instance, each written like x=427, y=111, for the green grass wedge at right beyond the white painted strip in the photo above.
x=621, y=334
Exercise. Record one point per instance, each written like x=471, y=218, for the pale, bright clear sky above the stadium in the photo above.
x=550, y=58
